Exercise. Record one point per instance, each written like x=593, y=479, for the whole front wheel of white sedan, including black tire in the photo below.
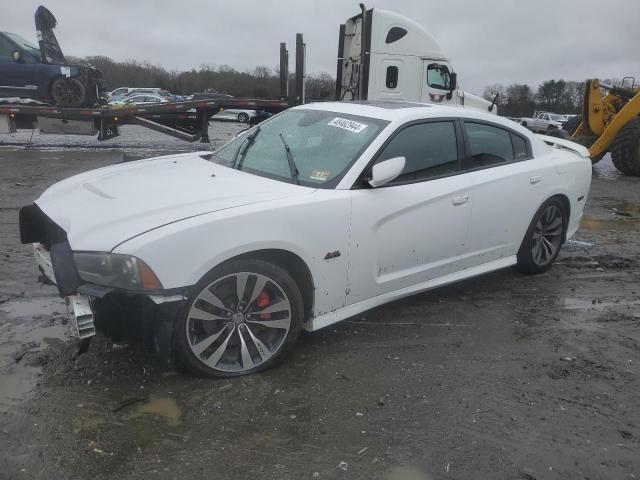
x=221, y=335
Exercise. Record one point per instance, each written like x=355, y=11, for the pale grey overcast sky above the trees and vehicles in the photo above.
x=488, y=41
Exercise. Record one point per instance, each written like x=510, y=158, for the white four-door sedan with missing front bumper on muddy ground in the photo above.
x=317, y=214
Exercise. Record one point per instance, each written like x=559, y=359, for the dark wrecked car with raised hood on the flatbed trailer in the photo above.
x=42, y=73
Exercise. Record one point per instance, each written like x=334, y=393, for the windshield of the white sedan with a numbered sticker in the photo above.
x=323, y=146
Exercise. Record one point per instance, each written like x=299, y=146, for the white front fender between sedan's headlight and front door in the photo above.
x=314, y=229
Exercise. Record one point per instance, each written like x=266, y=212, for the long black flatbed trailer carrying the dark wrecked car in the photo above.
x=187, y=120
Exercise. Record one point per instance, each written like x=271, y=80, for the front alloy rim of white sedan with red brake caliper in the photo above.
x=238, y=322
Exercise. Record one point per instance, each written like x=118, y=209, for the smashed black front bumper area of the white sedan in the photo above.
x=120, y=314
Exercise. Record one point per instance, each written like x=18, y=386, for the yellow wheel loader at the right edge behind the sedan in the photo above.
x=610, y=123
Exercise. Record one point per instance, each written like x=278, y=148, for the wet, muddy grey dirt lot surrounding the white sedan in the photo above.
x=501, y=377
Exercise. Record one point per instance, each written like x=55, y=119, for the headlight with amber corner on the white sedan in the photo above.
x=113, y=270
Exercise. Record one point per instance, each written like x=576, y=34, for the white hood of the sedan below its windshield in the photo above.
x=102, y=208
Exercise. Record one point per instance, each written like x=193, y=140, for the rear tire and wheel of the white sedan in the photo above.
x=544, y=238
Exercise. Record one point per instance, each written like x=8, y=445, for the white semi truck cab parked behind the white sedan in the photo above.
x=383, y=55
